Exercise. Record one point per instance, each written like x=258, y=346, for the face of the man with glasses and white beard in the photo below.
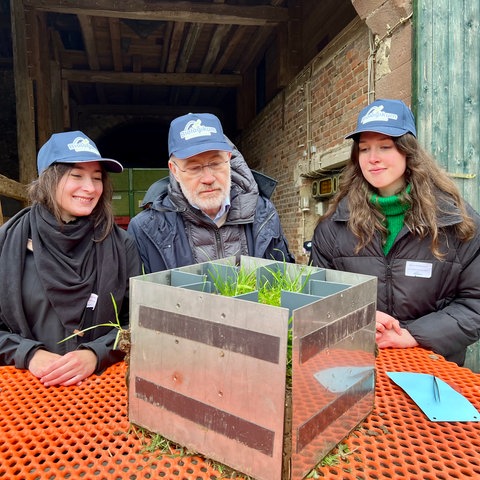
x=205, y=188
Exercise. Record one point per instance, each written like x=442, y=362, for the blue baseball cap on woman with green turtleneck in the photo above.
x=390, y=117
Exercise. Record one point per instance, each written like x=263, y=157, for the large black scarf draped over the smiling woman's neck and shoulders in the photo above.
x=70, y=265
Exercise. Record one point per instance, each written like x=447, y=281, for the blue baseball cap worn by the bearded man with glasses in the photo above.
x=196, y=133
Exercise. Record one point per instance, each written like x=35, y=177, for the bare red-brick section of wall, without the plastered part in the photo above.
x=317, y=110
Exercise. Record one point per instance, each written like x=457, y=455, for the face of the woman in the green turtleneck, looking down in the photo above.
x=382, y=164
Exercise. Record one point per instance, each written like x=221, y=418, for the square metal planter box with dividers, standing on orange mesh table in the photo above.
x=208, y=371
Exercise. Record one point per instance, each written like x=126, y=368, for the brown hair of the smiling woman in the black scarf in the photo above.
x=43, y=191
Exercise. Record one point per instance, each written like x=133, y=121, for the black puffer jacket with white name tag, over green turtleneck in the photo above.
x=437, y=301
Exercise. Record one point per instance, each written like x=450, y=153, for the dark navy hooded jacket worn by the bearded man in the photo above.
x=161, y=230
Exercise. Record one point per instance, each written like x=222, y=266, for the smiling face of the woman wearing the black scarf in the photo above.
x=79, y=190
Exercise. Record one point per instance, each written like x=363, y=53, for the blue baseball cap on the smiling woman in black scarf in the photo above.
x=72, y=147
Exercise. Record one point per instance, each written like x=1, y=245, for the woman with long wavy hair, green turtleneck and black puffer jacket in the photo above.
x=400, y=217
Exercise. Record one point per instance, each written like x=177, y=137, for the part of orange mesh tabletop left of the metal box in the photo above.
x=78, y=432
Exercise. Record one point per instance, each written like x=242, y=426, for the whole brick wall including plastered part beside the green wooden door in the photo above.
x=307, y=122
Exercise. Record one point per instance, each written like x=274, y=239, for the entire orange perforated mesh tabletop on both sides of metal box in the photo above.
x=83, y=431
